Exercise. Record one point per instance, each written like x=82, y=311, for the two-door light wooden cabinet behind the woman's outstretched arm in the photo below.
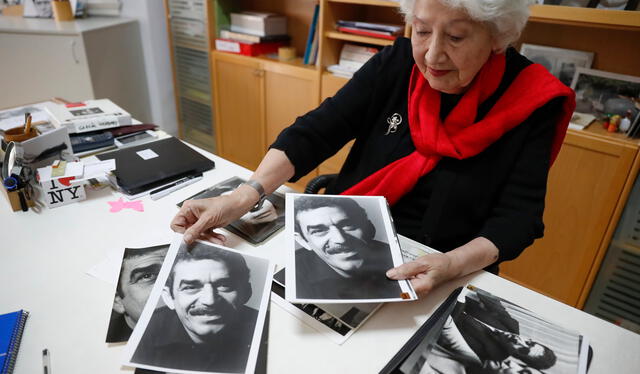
x=255, y=99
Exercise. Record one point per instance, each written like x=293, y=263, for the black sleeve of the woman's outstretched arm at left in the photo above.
x=322, y=132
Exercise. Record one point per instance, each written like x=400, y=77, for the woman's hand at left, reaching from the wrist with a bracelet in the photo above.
x=197, y=218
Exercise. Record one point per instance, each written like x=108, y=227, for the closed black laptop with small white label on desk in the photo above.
x=150, y=165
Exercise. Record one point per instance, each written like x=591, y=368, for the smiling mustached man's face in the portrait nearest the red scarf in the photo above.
x=336, y=238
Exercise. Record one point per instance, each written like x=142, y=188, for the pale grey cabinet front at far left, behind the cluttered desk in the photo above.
x=37, y=67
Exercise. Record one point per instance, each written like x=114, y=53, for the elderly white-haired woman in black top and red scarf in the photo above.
x=453, y=127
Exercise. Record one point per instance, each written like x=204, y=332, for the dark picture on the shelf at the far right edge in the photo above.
x=602, y=93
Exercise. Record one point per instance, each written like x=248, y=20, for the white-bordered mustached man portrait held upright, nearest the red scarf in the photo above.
x=340, y=250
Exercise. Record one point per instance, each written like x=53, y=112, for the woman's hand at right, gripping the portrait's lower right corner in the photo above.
x=426, y=272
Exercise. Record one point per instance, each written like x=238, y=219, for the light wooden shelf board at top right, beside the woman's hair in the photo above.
x=589, y=17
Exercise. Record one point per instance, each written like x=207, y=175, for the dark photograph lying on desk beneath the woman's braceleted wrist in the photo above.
x=258, y=224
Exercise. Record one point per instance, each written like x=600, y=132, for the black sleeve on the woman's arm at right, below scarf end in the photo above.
x=516, y=219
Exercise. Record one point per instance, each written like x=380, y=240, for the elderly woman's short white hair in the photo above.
x=506, y=18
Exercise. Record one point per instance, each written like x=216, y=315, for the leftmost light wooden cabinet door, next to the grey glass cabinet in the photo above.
x=238, y=84
